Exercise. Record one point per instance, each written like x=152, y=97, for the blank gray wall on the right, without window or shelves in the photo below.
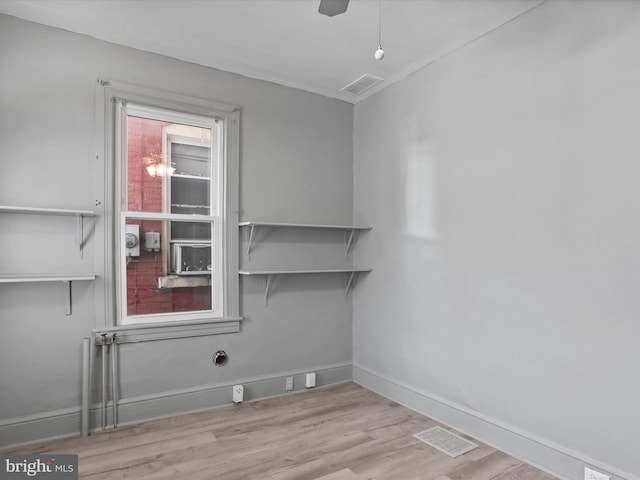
x=503, y=184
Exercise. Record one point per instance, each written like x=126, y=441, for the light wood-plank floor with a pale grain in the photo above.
x=342, y=432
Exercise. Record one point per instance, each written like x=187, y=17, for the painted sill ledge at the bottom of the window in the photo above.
x=168, y=330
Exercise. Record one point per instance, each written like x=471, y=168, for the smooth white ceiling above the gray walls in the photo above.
x=284, y=41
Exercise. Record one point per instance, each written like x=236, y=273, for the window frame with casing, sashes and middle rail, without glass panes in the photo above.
x=110, y=231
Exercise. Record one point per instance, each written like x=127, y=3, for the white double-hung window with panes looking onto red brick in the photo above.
x=175, y=219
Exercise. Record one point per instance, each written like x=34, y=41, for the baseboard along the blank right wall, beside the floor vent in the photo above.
x=545, y=455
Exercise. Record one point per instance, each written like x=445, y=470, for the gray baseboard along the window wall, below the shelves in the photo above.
x=16, y=432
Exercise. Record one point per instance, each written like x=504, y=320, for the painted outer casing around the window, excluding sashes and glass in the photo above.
x=108, y=95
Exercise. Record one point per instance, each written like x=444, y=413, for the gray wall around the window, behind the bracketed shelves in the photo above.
x=296, y=166
